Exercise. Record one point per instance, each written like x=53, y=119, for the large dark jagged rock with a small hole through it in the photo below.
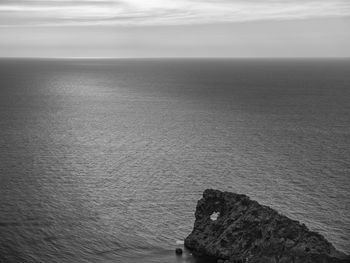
x=232, y=227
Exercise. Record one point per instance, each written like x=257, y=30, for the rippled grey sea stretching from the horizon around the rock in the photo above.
x=104, y=160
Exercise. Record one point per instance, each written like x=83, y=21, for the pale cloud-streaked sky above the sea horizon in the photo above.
x=174, y=28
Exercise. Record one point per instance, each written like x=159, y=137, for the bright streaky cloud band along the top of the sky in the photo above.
x=162, y=12
